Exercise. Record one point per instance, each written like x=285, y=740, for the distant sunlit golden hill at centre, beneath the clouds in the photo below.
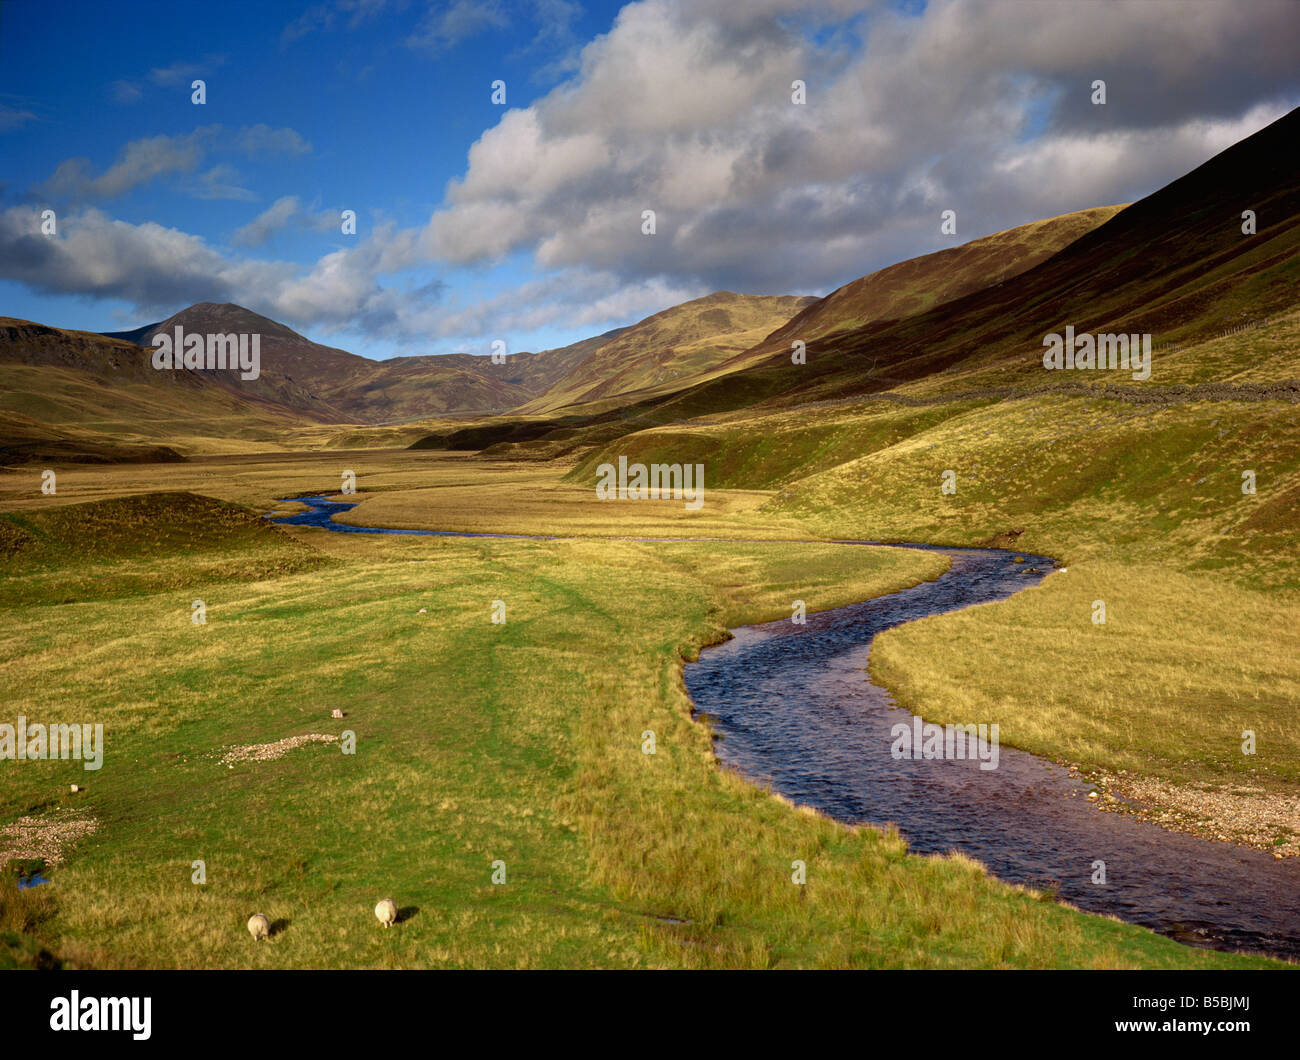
x=673, y=345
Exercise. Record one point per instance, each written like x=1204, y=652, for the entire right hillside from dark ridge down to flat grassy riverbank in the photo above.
x=1137, y=488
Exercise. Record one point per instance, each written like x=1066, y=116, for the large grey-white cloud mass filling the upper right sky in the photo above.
x=982, y=109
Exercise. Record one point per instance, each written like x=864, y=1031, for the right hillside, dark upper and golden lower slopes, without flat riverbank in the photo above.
x=1081, y=464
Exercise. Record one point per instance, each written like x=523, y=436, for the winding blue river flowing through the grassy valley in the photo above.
x=795, y=709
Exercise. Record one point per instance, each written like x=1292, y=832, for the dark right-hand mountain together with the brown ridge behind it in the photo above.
x=1176, y=265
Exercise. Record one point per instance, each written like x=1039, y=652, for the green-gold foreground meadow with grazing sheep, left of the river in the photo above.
x=476, y=742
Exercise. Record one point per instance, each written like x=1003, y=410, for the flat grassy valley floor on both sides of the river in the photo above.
x=517, y=749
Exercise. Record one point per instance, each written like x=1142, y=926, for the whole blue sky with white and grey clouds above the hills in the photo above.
x=523, y=219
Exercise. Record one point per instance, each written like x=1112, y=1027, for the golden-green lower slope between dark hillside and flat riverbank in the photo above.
x=1076, y=475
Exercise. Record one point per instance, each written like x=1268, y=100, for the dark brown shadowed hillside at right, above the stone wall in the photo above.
x=1176, y=266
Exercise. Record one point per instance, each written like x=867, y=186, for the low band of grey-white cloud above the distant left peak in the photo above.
x=158, y=269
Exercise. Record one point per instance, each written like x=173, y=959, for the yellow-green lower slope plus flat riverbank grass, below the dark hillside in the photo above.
x=1143, y=504
